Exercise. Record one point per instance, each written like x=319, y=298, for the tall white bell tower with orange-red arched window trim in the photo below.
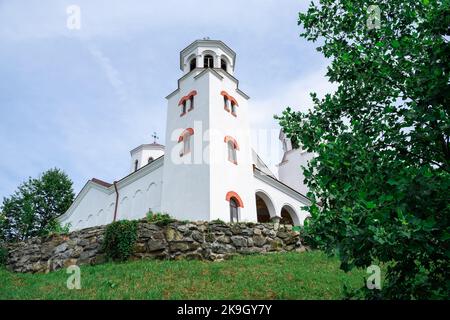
x=208, y=170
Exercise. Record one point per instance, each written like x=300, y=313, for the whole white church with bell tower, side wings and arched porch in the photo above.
x=207, y=170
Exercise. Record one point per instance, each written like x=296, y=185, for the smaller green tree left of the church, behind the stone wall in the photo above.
x=33, y=208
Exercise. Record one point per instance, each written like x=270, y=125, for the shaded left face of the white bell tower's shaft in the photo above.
x=186, y=179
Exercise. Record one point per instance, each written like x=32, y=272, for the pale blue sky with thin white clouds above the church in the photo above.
x=80, y=100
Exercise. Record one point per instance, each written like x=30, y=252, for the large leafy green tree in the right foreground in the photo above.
x=381, y=179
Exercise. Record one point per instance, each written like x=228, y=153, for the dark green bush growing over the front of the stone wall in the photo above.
x=120, y=237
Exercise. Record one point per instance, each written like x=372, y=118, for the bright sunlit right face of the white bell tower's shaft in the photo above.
x=225, y=175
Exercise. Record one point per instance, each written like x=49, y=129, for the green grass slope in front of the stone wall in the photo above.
x=308, y=275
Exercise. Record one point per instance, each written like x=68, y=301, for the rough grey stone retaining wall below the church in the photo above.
x=194, y=240
